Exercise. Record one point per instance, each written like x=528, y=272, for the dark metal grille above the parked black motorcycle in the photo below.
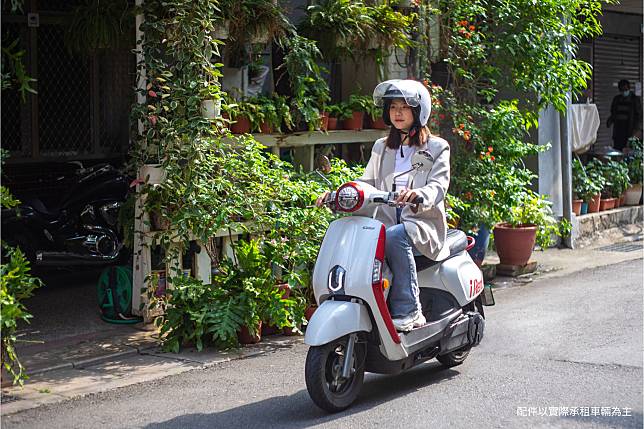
x=83, y=102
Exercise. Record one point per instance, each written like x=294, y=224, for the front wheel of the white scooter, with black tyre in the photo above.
x=323, y=373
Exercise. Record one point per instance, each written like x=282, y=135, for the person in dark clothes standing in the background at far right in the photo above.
x=625, y=115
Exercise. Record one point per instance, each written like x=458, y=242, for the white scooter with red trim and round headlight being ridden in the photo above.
x=352, y=331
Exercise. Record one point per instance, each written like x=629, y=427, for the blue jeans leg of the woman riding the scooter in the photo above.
x=404, y=294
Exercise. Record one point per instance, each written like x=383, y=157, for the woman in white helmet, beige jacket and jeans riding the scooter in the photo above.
x=410, y=230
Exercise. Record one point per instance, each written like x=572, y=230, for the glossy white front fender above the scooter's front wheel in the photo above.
x=334, y=319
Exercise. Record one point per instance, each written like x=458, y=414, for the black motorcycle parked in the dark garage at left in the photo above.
x=80, y=229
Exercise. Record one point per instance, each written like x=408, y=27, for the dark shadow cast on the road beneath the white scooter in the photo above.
x=298, y=410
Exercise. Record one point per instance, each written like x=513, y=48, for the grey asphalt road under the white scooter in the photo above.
x=571, y=344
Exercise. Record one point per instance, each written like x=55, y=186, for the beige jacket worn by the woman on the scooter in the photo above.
x=427, y=228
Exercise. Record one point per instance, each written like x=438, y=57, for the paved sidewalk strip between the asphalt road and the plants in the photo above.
x=79, y=366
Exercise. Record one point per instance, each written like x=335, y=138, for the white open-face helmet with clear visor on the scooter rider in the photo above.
x=413, y=92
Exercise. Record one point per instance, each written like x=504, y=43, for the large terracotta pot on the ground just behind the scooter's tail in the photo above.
x=514, y=245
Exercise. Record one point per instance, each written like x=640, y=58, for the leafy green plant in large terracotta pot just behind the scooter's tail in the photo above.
x=531, y=221
